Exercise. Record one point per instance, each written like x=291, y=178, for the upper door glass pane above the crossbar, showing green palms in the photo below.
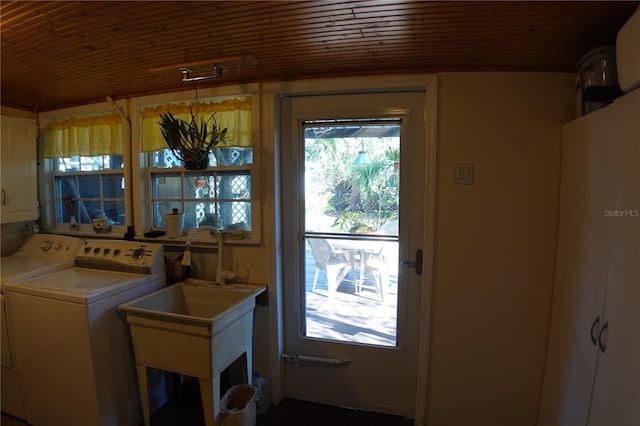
x=352, y=178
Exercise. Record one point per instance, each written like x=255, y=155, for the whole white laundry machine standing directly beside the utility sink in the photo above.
x=76, y=363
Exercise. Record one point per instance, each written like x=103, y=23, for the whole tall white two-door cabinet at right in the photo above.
x=592, y=375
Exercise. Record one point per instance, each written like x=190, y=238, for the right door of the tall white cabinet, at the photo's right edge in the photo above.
x=616, y=391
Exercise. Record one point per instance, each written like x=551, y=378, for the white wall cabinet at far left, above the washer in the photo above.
x=19, y=198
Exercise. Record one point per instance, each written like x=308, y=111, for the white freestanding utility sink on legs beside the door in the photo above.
x=196, y=328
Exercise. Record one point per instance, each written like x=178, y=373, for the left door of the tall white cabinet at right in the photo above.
x=581, y=268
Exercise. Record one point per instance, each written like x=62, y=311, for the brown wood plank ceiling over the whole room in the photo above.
x=63, y=53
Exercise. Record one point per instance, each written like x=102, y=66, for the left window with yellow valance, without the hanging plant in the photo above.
x=87, y=170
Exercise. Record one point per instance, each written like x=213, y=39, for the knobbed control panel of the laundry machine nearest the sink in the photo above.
x=124, y=256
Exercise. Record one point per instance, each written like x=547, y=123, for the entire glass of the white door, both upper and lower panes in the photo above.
x=351, y=231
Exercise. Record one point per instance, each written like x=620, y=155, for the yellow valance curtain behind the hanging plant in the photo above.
x=234, y=114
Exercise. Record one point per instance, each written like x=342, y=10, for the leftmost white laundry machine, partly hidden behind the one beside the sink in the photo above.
x=40, y=254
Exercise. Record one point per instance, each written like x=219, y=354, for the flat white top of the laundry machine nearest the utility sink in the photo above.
x=80, y=285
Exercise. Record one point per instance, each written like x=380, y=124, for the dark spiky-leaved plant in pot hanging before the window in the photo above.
x=191, y=141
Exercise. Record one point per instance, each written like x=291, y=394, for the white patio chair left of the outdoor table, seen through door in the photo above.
x=333, y=262
